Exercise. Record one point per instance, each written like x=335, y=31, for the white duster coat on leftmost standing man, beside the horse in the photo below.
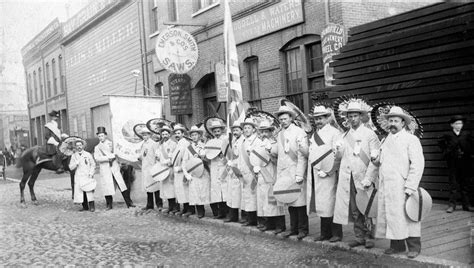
x=84, y=165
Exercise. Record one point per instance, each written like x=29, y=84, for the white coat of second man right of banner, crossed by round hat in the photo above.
x=164, y=152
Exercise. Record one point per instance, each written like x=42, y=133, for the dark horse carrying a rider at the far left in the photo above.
x=31, y=170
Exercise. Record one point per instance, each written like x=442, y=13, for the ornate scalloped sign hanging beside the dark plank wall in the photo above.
x=333, y=38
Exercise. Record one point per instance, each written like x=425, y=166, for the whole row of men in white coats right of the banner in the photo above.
x=261, y=175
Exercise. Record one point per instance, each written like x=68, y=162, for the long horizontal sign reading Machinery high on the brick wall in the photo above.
x=276, y=17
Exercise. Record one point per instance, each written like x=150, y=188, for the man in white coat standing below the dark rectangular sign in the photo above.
x=181, y=185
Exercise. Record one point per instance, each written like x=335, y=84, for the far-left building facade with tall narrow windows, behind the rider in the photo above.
x=43, y=63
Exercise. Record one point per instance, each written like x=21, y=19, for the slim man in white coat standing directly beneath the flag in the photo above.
x=234, y=189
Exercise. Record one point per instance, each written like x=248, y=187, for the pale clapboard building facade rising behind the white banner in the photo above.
x=103, y=49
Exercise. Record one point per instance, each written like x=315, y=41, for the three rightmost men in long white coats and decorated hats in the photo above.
x=361, y=163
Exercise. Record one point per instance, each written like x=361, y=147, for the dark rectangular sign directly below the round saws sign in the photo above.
x=180, y=94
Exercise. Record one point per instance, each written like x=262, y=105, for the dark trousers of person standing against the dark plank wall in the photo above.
x=459, y=181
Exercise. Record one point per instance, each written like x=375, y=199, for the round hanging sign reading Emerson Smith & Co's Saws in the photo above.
x=176, y=50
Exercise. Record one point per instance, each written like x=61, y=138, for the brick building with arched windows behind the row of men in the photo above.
x=278, y=43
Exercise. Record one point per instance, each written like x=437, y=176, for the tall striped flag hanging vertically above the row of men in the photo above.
x=236, y=106
